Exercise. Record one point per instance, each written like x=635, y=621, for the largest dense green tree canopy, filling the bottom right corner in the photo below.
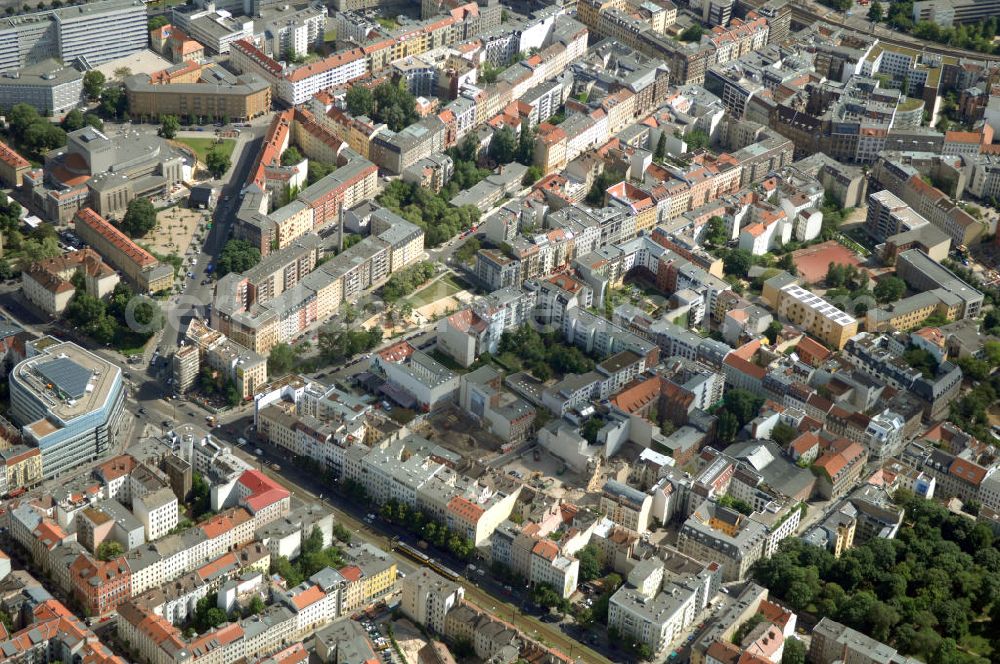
x=921, y=593
